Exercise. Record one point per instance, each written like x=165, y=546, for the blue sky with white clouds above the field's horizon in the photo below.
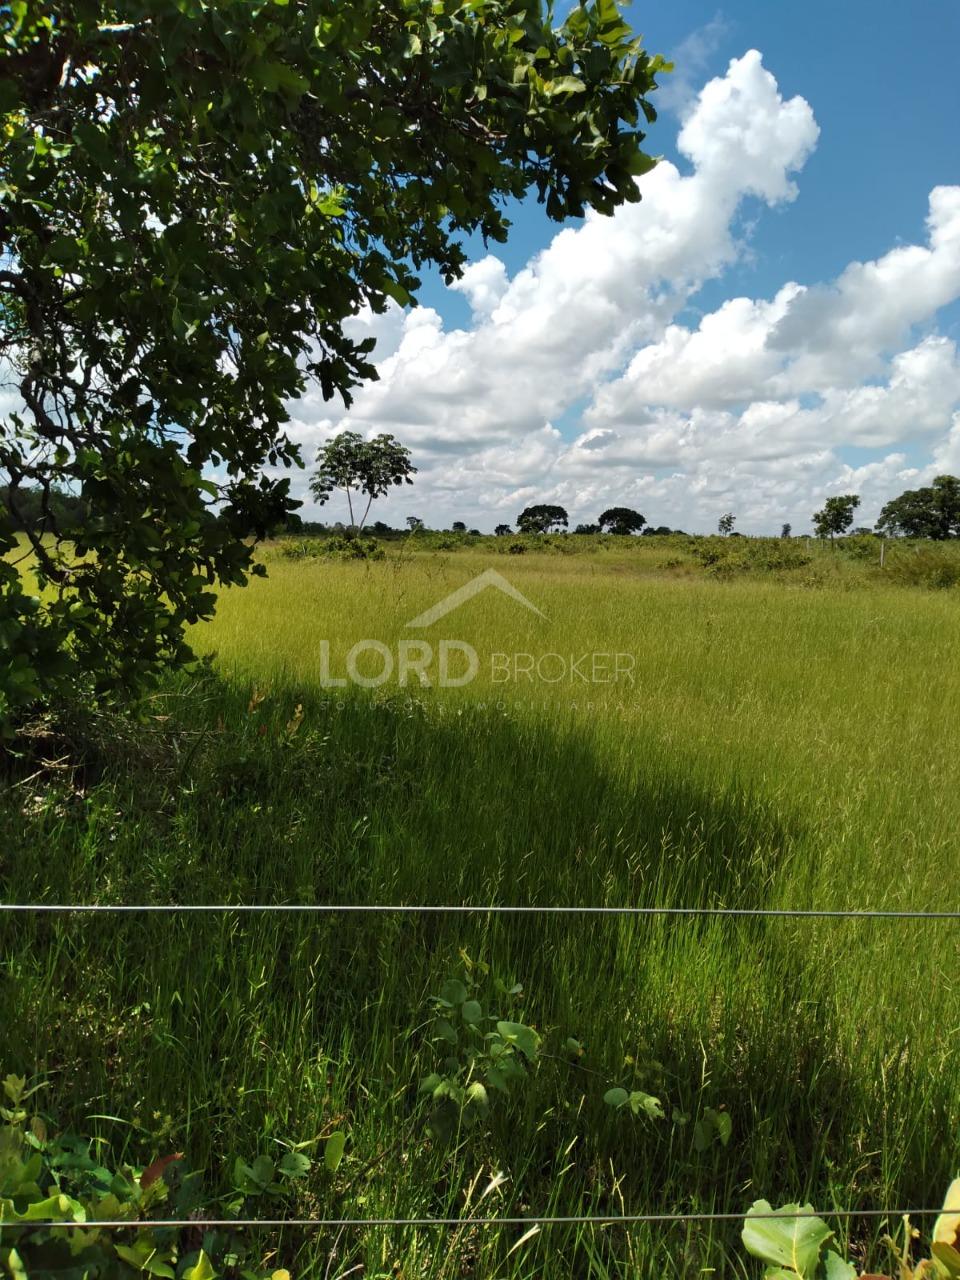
x=776, y=322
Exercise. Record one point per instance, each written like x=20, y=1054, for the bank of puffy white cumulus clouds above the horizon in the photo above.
x=747, y=412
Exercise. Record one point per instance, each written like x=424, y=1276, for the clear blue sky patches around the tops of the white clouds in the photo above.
x=884, y=81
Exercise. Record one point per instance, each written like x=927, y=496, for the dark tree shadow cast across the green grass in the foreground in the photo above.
x=272, y=1027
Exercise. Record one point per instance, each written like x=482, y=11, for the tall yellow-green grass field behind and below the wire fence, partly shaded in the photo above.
x=784, y=742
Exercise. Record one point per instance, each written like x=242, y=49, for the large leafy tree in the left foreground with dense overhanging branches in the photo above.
x=196, y=198
